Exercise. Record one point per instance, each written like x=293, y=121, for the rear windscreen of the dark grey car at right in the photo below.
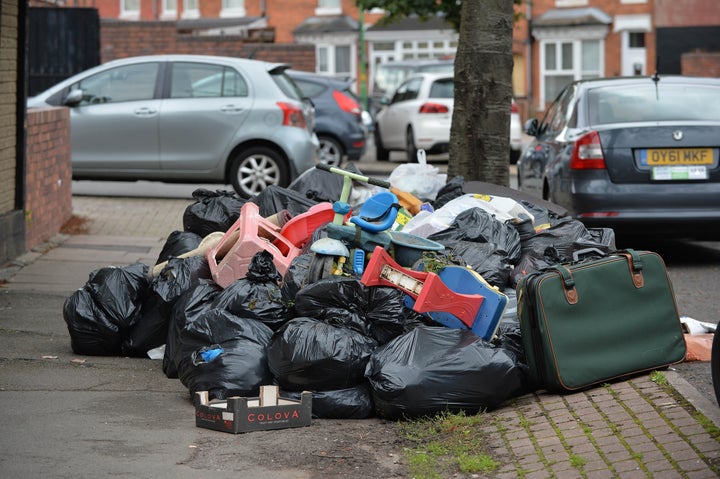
x=653, y=102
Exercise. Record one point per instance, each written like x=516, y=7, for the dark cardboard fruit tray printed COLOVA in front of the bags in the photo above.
x=263, y=413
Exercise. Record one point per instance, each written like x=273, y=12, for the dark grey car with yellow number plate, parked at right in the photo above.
x=637, y=154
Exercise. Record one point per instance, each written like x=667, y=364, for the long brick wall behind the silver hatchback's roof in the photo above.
x=121, y=39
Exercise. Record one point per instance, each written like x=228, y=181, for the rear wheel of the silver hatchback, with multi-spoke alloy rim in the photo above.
x=255, y=169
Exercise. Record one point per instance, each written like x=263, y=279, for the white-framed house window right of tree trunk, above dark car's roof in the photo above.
x=568, y=60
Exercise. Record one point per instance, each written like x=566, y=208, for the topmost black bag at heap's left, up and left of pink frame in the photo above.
x=212, y=211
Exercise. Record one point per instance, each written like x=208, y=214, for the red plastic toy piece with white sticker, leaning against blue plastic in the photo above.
x=428, y=290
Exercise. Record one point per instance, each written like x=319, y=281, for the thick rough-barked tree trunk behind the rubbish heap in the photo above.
x=480, y=133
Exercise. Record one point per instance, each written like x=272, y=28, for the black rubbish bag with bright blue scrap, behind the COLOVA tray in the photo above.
x=224, y=354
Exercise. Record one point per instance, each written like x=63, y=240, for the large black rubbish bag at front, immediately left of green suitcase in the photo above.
x=435, y=369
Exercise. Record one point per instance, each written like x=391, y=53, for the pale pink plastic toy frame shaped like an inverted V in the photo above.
x=250, y=234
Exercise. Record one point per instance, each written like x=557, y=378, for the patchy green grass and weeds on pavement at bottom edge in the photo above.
x=446, y=444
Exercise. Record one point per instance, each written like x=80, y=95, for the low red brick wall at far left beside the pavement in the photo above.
x=48, y=179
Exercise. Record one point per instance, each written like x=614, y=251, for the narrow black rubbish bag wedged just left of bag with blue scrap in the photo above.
x=187, y=307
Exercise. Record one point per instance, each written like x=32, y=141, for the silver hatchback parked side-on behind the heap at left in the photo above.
x=187, y=118
